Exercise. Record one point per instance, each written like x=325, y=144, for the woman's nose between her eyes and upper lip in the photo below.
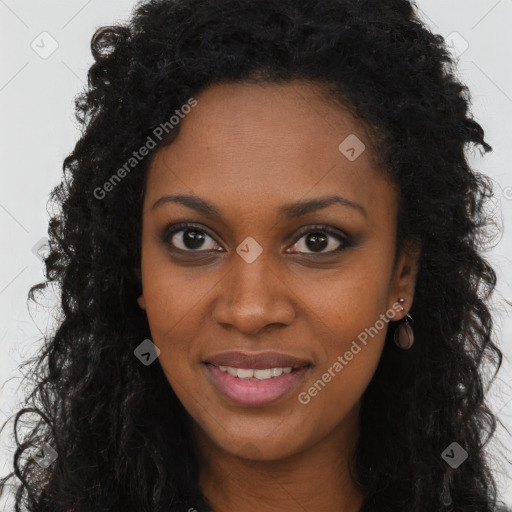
x=253, y=296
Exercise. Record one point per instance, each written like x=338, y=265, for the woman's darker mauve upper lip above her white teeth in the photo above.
x=258, y=360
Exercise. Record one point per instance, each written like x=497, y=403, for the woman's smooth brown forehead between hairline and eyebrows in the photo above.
x=268, y=144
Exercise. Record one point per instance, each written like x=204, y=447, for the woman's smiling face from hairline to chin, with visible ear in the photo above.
x=257, y=274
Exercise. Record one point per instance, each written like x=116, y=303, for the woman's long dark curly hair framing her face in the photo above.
x=121, y=434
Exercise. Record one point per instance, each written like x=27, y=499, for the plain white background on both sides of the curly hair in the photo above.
x=38, y=131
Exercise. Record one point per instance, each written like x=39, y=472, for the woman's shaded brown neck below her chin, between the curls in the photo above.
x=313, y=479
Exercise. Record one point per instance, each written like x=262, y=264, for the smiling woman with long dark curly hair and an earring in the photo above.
x=273, y=292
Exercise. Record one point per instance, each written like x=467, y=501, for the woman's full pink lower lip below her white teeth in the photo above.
x=253, y=393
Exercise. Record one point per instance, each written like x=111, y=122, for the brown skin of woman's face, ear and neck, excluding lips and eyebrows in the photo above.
x=249, y=149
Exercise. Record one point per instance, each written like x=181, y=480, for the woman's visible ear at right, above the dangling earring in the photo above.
x=405, y=274
